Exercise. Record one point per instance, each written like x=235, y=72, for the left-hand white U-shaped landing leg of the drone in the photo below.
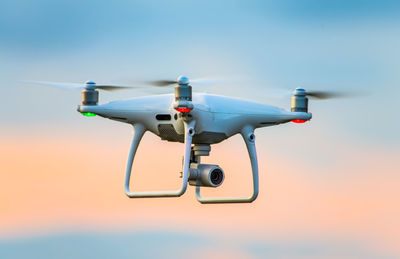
x=138, y=134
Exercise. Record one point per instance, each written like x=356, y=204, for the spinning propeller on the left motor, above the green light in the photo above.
x=89, y=85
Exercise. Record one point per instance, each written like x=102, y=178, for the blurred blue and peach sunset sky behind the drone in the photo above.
x=328, y=188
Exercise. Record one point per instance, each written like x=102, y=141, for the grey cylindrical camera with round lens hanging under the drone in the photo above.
x=206, y=175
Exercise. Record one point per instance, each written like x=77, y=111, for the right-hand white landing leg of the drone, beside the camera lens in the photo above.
x=249, y=138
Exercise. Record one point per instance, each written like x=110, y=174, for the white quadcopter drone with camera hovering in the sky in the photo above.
x=198, y=120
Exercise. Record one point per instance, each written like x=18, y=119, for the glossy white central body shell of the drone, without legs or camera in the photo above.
x=217, y=117
